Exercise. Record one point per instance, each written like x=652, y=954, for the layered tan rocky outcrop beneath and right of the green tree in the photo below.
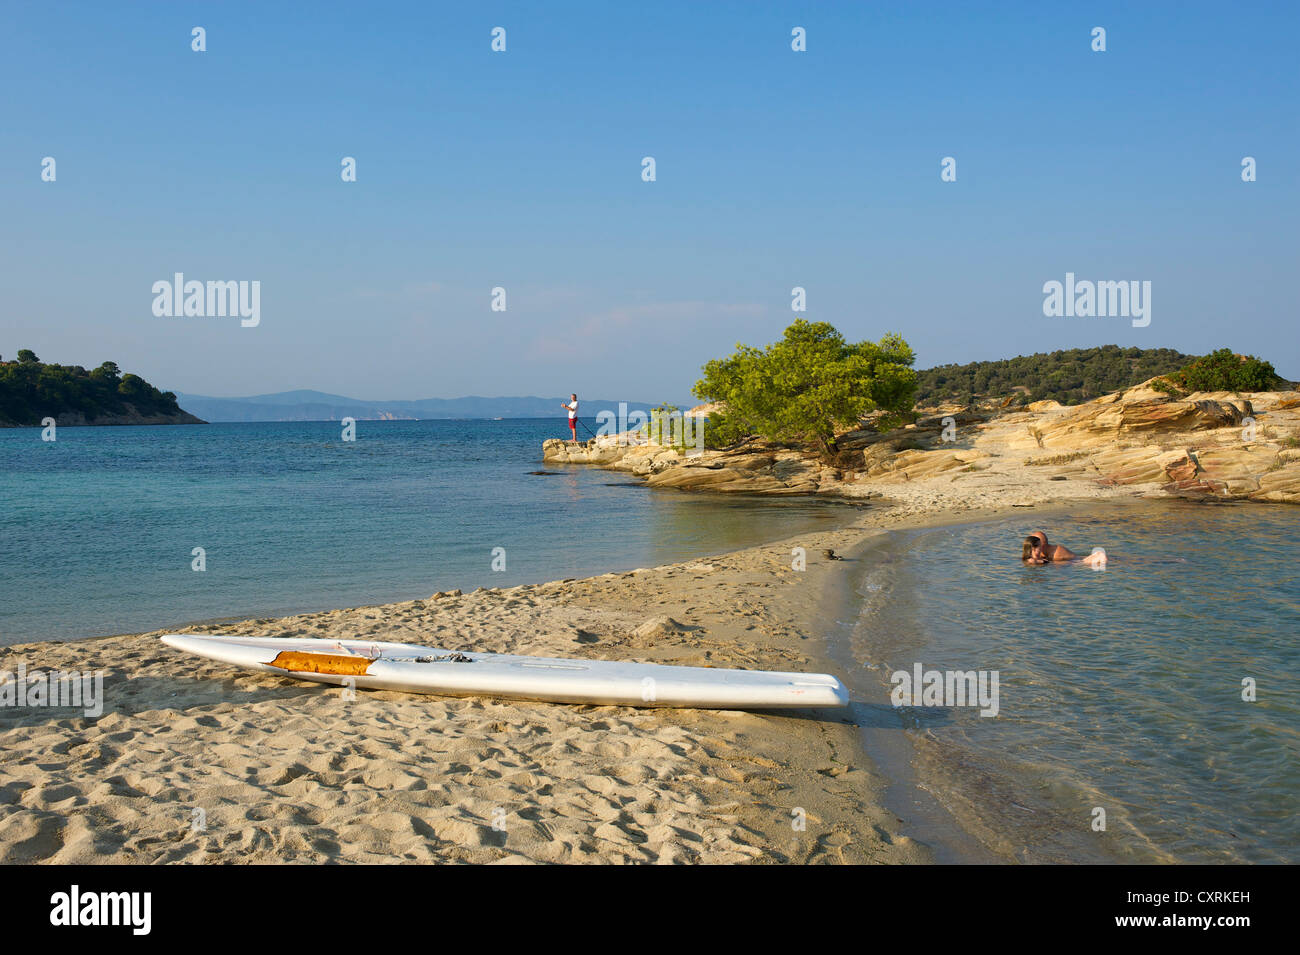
x=1206, y=445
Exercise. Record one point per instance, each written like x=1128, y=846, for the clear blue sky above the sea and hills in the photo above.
x=523, y=170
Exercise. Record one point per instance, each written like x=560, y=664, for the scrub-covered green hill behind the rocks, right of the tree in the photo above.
x=1069, y=377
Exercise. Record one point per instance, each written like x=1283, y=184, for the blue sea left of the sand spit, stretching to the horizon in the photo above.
x=98, y=528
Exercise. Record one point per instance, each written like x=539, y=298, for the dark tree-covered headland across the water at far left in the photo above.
x=31, y=392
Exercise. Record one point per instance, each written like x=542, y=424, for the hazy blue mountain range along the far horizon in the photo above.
x=318, y=406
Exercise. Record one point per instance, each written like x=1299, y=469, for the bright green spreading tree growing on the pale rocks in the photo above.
x=807, y=387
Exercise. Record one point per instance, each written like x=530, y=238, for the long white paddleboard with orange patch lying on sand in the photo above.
x=426, y=670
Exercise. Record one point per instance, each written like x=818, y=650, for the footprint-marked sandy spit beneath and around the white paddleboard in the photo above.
x=193, y=762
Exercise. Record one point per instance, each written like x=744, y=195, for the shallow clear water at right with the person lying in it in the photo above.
x=1120, y=689
